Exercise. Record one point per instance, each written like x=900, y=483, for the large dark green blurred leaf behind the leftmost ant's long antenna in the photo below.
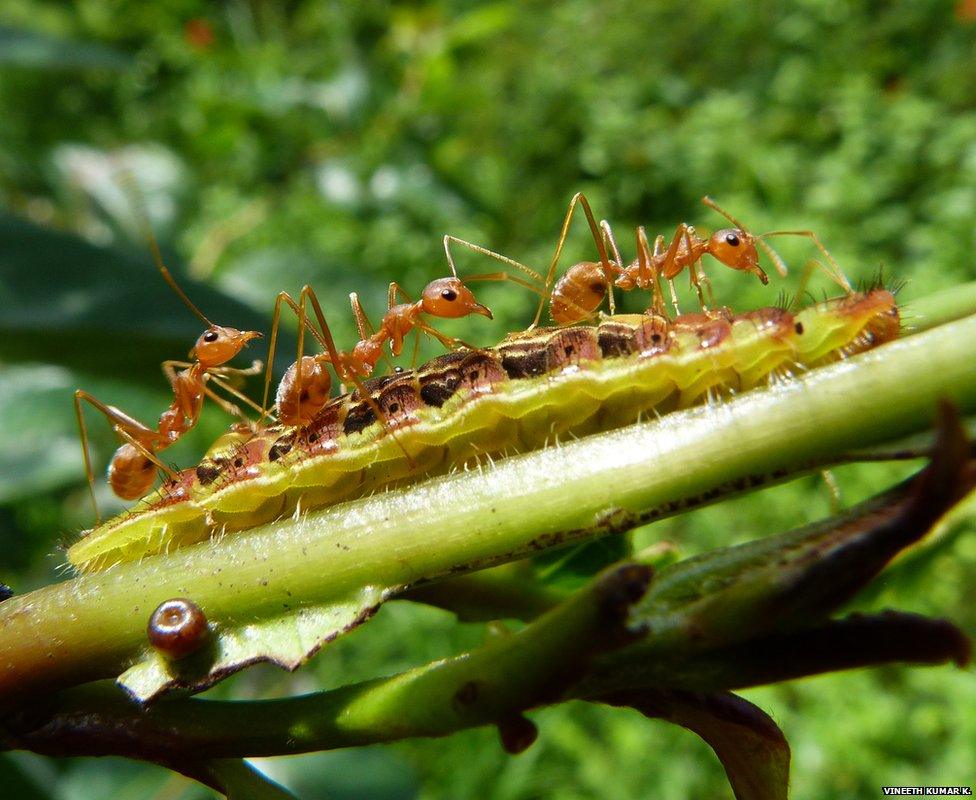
x=65, y=301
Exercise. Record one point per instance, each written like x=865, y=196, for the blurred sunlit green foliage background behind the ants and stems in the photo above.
x=278, y=144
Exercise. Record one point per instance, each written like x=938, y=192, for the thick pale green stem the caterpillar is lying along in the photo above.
x=93, y=626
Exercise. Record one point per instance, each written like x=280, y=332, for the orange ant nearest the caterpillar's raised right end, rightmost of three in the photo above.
x=580, y=291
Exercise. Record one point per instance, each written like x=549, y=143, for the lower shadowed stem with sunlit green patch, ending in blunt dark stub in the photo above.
x=508, y=674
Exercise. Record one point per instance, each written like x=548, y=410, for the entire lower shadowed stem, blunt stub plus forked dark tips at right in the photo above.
x=726, y=618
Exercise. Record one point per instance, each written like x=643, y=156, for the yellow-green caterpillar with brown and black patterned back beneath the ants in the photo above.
x=472, y=403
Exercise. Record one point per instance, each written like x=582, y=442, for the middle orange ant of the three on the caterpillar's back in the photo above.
x=305, y=387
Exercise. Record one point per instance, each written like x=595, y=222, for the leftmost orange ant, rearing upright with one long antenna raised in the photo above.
x=132, y=469
